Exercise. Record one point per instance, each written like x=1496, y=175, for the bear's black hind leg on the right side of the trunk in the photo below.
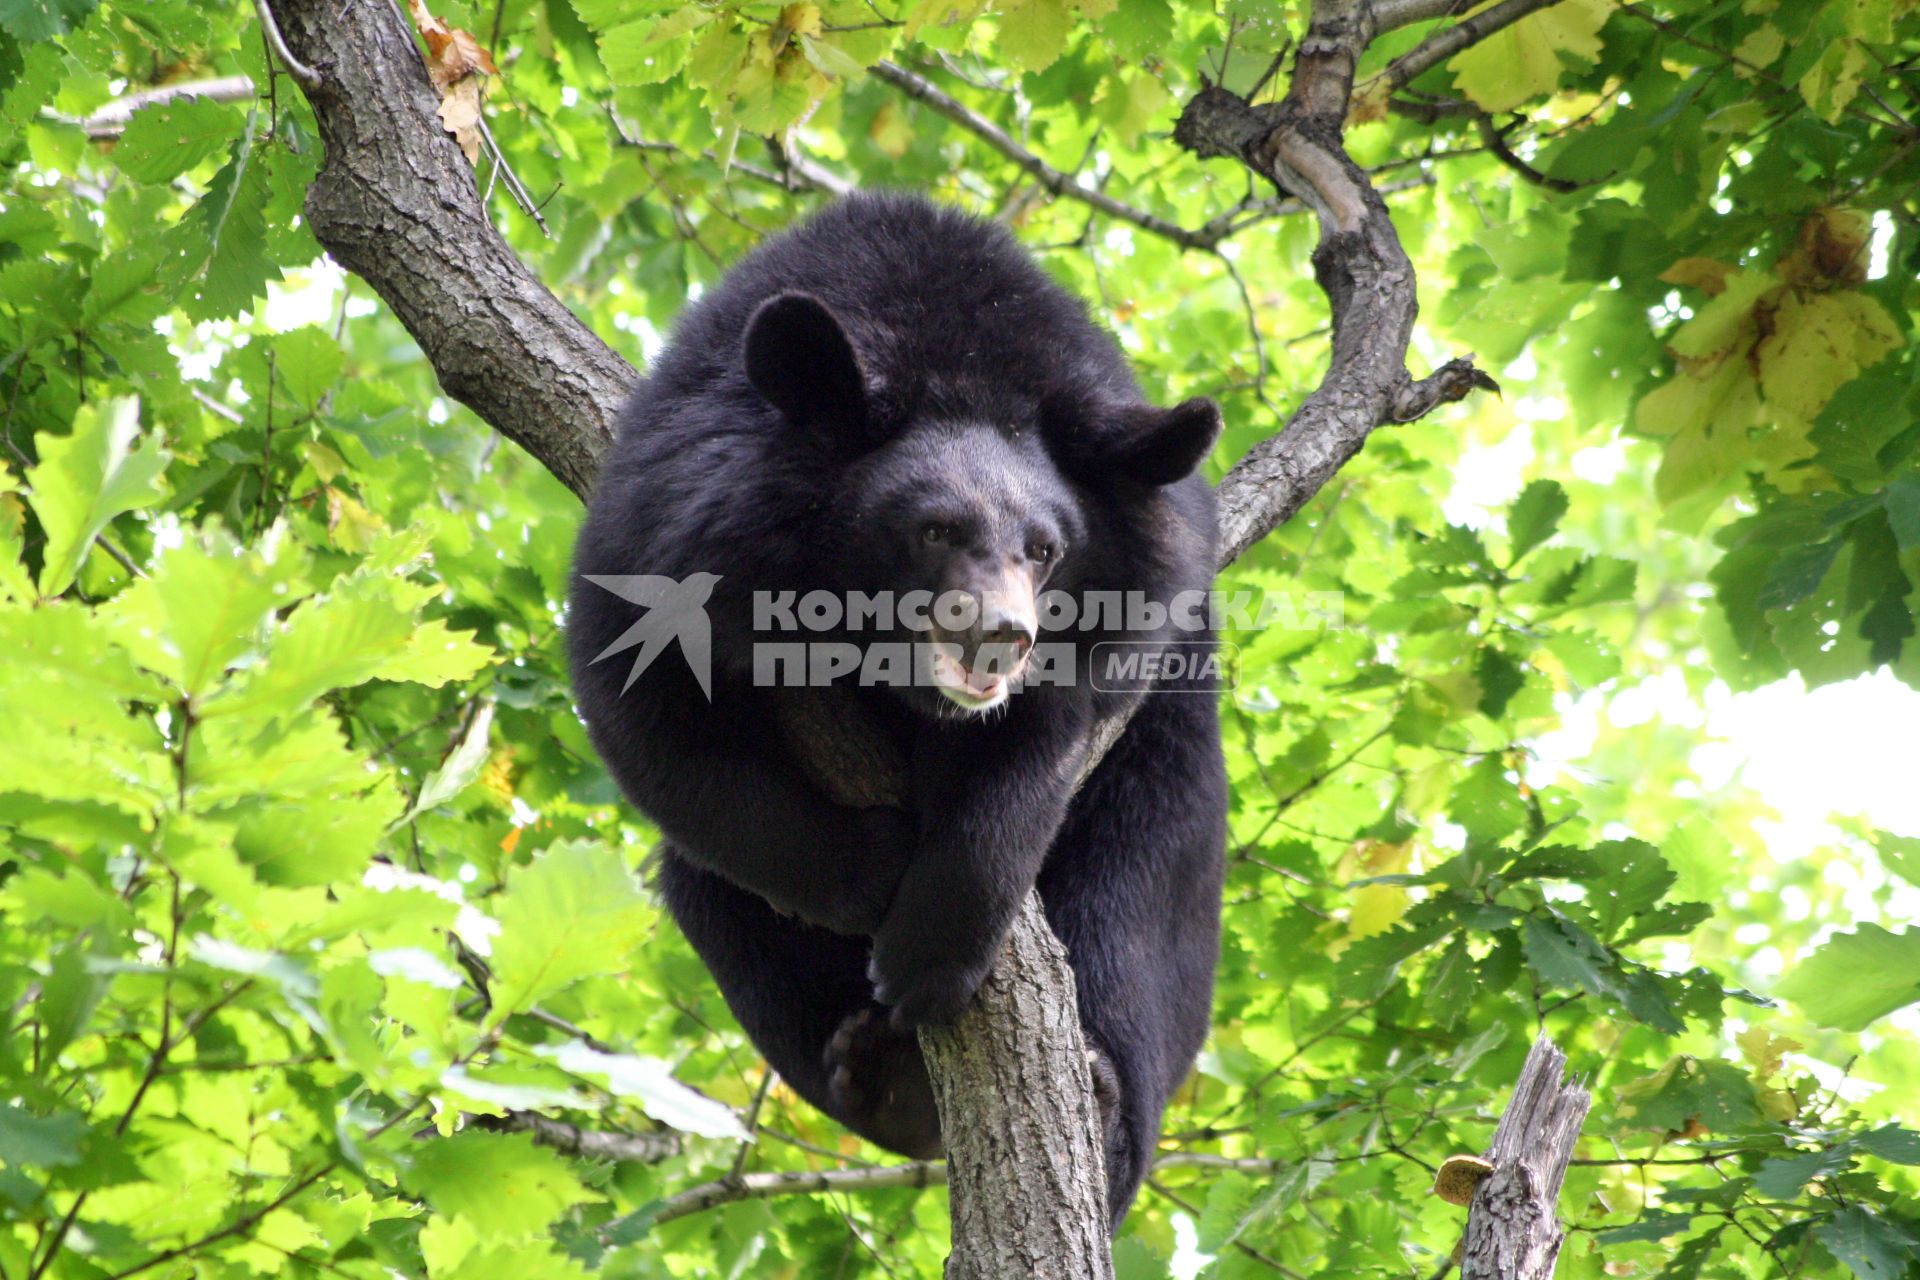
x=1132, y=889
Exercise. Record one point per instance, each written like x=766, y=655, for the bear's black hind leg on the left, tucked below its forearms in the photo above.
x=804, y=997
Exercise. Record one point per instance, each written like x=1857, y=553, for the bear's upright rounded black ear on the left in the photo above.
x=804, y=364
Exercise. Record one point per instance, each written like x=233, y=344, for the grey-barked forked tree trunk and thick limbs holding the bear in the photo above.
x=398, y=206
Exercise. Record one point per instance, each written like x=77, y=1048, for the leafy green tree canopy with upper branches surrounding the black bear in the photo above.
x=306, y=705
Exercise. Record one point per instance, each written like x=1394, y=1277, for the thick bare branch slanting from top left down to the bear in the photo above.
x=398, y=206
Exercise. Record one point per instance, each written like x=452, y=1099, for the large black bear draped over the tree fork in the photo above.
x=894, y=402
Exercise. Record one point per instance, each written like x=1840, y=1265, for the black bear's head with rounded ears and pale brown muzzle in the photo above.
x=974, y=500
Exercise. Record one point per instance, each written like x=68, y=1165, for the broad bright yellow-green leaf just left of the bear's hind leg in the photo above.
x=575, y=913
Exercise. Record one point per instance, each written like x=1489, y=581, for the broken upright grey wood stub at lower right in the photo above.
x=1514, y=1229
